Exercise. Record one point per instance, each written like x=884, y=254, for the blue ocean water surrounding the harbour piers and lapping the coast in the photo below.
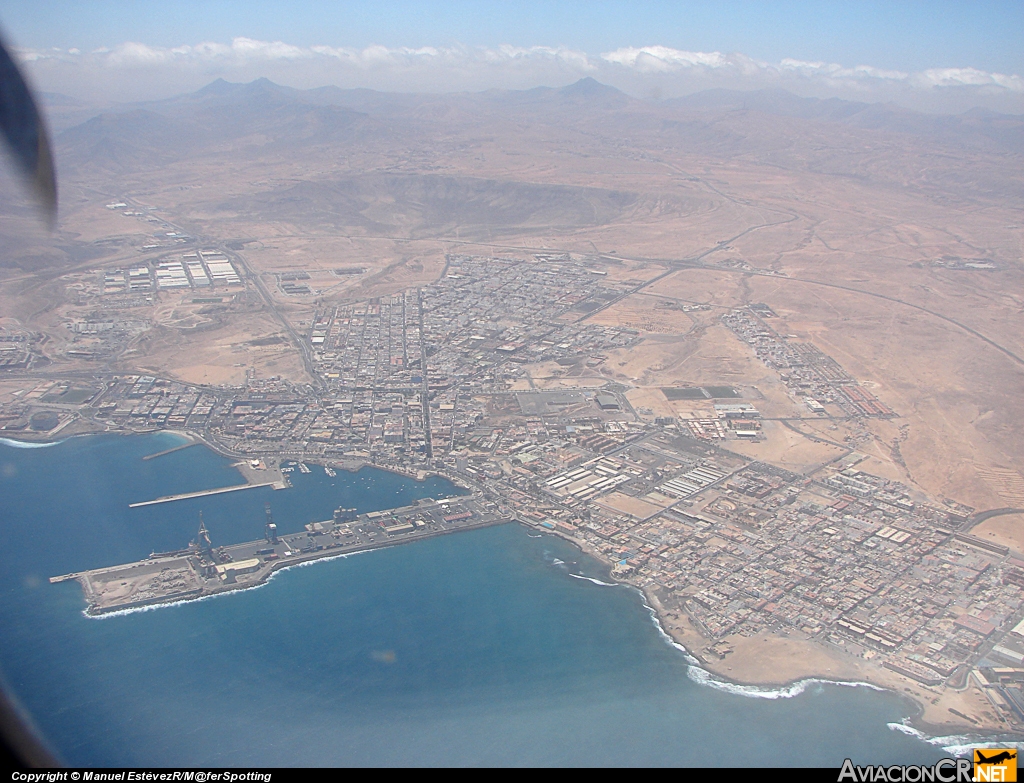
x=478, y=648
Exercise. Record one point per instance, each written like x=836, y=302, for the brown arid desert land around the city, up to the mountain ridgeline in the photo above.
x=892, y=243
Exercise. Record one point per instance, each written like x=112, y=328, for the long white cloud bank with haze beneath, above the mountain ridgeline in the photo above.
x=136, y=71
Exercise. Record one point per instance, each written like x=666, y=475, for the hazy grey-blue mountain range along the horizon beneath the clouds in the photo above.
x=263, y=119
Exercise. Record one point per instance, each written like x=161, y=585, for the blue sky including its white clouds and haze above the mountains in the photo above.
x=935, y=56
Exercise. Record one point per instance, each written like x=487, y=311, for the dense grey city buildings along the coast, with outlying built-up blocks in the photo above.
x=432, y=380
